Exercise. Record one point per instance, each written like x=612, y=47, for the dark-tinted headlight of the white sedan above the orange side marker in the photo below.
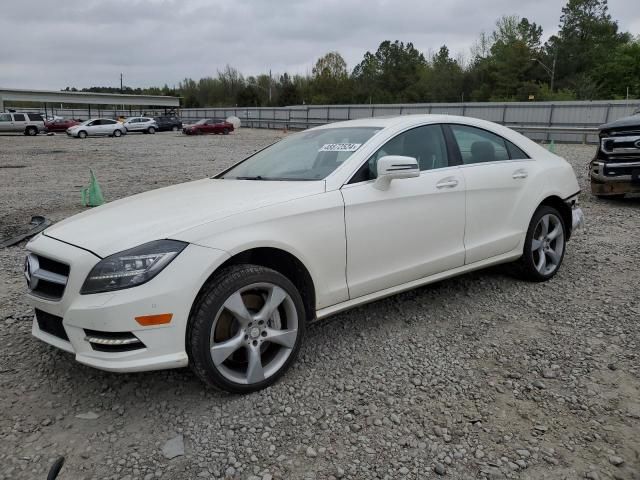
x=132, y=267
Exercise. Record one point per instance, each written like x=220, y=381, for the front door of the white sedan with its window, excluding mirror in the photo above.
x=413, y=229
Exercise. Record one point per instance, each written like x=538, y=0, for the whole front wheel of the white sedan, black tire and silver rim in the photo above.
x=253, y=361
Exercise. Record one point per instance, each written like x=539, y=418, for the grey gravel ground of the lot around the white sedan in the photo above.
x=478, y=376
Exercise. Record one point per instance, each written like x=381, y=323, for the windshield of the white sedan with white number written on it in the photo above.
x=310, y=155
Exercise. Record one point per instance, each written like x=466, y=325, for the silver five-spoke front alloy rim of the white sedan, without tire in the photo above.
x=254, y=333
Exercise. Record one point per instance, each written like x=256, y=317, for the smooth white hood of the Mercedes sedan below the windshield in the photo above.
x=165, y=212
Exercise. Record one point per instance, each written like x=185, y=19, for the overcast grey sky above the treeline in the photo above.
x=51, y=44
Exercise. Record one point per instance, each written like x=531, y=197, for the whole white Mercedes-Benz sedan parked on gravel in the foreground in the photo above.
x=223, y=274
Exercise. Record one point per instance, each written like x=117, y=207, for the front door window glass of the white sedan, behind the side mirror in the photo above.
x=426, y=144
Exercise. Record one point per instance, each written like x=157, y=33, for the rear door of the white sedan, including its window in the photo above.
x=496, y=174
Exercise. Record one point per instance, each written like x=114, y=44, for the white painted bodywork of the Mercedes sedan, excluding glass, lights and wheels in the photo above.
x=358, y=243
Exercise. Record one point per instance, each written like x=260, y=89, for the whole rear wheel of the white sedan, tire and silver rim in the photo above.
x=543, y=250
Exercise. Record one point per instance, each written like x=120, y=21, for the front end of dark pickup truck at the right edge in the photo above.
x=615, y=170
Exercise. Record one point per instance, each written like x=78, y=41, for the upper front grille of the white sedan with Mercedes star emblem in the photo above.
x=46, y=278
